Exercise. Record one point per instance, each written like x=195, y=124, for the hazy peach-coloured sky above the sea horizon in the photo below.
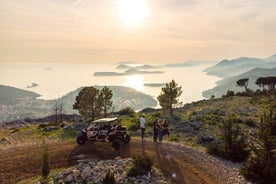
x=156, y=31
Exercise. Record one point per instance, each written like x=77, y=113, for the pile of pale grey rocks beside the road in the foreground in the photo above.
x=94, y=171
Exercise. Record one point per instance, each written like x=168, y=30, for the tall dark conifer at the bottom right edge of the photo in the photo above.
x=261, y=164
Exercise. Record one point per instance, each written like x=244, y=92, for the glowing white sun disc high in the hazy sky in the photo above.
x=132, y=12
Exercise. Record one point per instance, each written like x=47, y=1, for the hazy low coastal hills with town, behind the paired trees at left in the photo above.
x=19, y=104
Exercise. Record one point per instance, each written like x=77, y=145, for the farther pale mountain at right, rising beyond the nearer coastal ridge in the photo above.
x=227, y=68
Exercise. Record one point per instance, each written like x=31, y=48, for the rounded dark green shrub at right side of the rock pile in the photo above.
x=141, y=166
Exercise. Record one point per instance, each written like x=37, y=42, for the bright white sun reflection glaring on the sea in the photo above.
x=134, y=81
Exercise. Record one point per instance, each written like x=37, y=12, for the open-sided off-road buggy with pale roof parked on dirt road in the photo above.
x=105, y=130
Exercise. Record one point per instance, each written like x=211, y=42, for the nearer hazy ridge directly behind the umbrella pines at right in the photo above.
x=230, y=83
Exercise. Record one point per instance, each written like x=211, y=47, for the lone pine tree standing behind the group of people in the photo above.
x=169, y=96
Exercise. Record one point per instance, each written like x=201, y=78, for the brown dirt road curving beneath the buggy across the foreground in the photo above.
x=179, y=164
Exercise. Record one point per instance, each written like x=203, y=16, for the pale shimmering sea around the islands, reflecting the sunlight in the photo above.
x=53, y=80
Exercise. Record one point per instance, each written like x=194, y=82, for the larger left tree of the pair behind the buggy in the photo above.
x=89, y=103
